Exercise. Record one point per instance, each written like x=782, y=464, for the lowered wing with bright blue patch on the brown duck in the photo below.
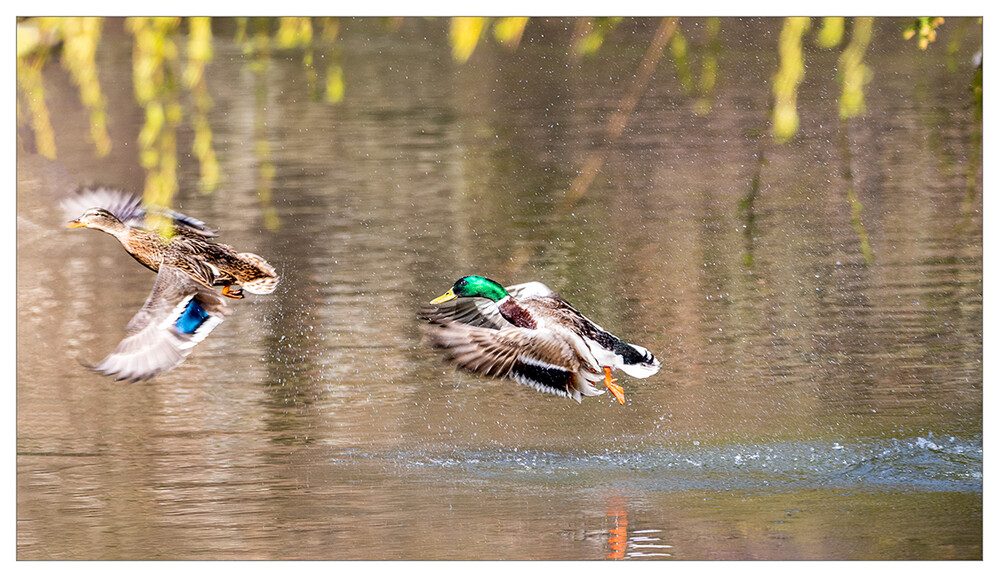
x=178, y=314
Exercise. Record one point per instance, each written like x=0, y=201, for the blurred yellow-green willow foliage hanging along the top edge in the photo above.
x=171, y=93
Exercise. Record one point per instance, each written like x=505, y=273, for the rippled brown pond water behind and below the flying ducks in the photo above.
x=811, y=405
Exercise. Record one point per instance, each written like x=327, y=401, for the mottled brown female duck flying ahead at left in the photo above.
x=182, y=307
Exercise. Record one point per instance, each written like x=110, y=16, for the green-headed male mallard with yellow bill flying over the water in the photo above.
x=528, y=333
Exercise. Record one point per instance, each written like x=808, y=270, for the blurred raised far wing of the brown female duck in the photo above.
x=130, y=209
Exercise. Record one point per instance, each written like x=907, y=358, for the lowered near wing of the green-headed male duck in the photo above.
x=539, y=359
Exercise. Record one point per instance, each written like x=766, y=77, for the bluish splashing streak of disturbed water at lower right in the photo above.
x=923, y=463
